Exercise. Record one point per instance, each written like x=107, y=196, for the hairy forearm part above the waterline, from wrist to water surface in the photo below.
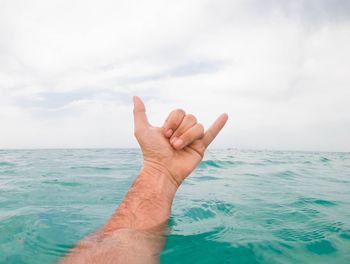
x=148, y=202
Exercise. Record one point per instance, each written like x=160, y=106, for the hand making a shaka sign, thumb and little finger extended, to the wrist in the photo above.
x=177, y=148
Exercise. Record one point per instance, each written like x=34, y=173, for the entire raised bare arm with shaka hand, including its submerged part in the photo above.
x=133, y=234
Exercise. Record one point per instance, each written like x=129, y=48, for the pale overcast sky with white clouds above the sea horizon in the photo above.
x=279, y=68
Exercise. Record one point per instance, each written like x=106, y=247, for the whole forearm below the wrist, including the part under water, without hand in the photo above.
x=133, y=234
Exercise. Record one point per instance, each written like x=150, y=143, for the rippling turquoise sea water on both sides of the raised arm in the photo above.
x=237, y=207
